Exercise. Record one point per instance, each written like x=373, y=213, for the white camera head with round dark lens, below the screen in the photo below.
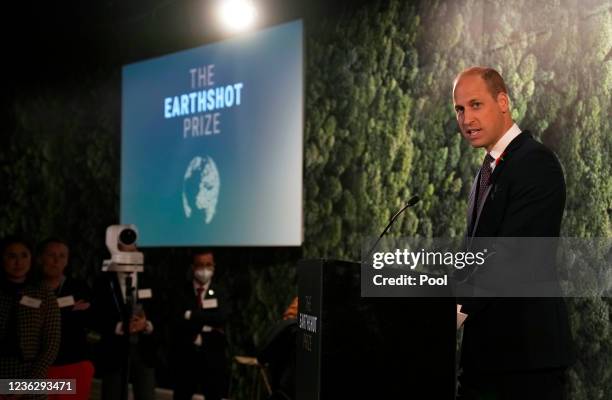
x=121, y=260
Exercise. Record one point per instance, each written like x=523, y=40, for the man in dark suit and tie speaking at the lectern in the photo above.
x=513, y=348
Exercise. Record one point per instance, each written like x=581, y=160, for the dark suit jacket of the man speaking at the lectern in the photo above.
x=526, y=198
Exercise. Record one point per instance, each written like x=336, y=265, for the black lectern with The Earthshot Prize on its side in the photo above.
x=351, y=347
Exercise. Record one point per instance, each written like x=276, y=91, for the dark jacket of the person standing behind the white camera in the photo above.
x=108, y=308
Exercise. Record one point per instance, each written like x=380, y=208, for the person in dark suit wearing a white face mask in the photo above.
x=200, y=363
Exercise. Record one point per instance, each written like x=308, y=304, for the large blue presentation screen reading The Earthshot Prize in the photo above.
x=211, y=149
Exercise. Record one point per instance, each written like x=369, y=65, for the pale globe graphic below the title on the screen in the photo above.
x=201, y=186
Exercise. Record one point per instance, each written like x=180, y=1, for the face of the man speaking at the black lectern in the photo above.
x=479, y=115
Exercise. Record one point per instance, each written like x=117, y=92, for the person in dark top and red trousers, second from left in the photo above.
x=73, y=298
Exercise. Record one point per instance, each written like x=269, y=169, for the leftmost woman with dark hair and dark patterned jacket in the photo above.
x=29, y=316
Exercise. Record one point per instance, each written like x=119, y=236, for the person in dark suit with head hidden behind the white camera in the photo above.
x=138, y=338
